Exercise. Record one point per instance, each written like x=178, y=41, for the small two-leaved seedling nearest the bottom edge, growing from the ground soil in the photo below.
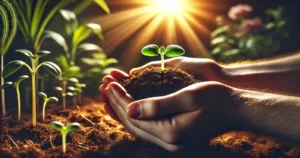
x=64, y=130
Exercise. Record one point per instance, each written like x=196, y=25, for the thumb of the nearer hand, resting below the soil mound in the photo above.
x=153, y=108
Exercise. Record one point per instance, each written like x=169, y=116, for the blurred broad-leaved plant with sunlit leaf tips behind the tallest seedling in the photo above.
x=71, y=40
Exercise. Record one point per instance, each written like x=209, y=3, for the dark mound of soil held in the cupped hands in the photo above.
x=152, y=82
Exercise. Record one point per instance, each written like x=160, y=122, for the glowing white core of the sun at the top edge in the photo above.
x=169, y=6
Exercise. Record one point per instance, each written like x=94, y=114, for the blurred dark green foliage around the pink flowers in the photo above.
x=232, y=44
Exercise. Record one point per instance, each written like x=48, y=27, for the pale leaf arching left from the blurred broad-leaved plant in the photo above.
x=57, y=38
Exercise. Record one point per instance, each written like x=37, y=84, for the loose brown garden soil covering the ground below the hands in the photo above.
x=100, y=136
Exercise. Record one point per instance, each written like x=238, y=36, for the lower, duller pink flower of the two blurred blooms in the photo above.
x=252, y=25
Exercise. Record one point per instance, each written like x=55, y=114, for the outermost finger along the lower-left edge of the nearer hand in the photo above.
x=131, y=128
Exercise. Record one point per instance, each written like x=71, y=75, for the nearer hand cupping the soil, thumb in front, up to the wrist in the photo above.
x=191, y=115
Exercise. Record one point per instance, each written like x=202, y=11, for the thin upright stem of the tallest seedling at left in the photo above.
x=33, y=77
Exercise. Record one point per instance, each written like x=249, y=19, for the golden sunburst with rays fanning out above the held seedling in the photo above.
x=160, y=22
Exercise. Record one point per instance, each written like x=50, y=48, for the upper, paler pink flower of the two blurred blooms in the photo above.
x=239, y=11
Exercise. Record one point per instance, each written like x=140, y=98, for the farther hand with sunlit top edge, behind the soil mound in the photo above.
x=207, y=69
